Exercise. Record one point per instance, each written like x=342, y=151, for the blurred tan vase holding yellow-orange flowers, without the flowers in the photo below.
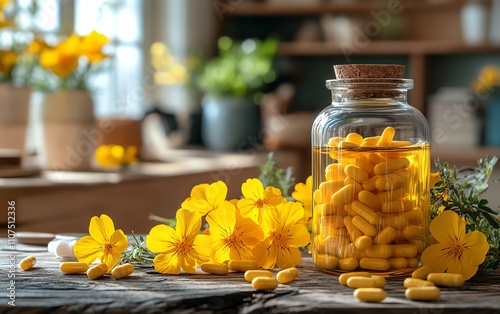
x=69, y=131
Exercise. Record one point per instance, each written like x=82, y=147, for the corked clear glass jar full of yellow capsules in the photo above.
x=371, y=166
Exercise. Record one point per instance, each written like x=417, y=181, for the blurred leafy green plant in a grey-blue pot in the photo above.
x=231, y=82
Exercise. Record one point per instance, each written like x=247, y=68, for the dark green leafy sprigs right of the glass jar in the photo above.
x=460, y=191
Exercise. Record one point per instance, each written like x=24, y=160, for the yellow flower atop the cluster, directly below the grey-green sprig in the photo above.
x=258, y=200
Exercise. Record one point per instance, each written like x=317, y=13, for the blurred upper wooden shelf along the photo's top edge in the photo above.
x=270, y=9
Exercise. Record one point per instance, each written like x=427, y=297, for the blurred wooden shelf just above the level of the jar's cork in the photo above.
x=383, y=48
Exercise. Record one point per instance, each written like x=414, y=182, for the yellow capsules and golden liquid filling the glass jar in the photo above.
x=378, y=210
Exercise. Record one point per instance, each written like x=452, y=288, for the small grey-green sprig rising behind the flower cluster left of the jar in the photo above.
x=272, y=175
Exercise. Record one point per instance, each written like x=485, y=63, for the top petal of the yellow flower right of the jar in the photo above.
x=447, y=227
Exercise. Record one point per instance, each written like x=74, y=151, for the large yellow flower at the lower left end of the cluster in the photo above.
x=182, y=248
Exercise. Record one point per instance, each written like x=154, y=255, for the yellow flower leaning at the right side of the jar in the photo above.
x=456, y=252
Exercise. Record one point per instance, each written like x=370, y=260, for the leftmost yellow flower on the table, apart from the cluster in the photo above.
x=104, y=243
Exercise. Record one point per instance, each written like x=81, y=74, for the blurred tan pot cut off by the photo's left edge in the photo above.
x=14, y=109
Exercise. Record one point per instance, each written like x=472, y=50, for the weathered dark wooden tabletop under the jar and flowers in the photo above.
x=44, y=289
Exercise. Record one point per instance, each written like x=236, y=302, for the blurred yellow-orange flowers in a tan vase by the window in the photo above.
x=68, y=121
